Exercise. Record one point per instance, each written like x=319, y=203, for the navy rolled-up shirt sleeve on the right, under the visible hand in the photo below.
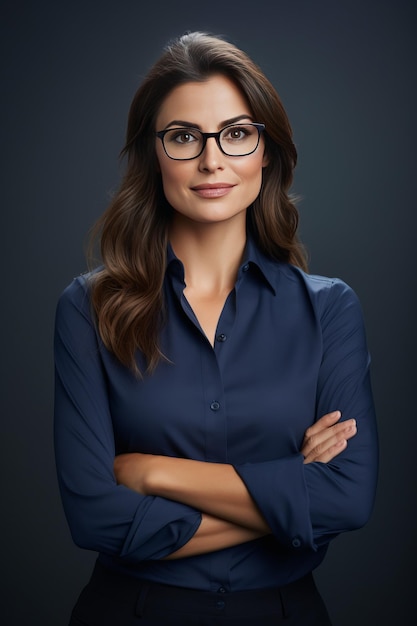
x=306, y=505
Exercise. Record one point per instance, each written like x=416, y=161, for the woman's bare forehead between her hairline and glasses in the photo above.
x=204, y=103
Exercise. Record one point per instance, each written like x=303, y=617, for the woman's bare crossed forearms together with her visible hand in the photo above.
x=229, y=514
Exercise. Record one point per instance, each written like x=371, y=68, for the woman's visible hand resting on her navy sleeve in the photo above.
x=327, y=438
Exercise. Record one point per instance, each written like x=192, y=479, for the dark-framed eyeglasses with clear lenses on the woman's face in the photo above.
x=183, y=144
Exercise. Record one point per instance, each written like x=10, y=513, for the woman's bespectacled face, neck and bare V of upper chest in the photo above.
x=208, y=187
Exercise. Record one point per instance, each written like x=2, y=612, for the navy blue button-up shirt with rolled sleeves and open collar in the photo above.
x=289, y=348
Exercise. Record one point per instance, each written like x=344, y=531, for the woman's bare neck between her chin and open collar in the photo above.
x=211, y=253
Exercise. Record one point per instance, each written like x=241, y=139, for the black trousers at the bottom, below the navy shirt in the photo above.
x=112, y=599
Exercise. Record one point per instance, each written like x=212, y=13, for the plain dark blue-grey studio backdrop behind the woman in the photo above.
x=346, y=74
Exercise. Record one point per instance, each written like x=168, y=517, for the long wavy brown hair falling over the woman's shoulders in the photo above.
x=127, y=291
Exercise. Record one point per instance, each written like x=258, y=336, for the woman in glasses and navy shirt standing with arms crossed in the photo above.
x=214, y=423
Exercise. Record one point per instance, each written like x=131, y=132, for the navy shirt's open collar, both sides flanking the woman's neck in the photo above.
x=254, y=260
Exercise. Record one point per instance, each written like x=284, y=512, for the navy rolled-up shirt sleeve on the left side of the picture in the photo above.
x=102, y=515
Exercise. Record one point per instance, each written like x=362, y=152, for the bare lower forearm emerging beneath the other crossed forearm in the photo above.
x=215, y=534
